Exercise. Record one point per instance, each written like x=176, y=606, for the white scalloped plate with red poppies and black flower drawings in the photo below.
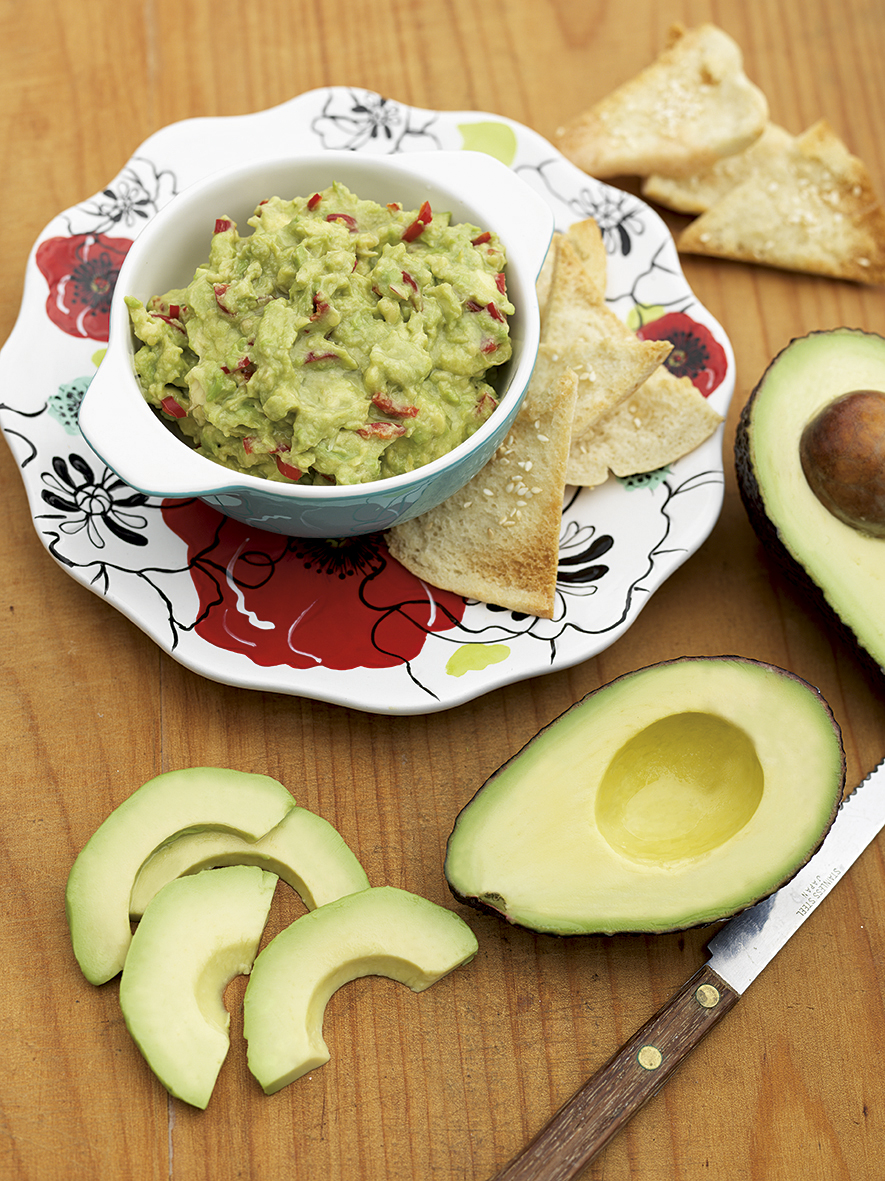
x=342, y=623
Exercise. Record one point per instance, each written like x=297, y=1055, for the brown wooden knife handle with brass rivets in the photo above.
x=597, y=1113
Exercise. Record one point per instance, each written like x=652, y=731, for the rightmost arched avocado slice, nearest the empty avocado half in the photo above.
x=383, y=931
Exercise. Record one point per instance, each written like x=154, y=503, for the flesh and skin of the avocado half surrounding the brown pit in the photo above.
x=841, y=569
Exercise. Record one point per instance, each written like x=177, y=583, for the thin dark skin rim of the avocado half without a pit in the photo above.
x=484, y=905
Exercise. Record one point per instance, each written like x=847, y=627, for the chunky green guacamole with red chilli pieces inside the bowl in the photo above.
x=340, y=342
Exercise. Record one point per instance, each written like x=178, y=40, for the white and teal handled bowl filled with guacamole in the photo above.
x=327, y=345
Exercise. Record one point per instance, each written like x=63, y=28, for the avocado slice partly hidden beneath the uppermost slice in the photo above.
x=304, y=850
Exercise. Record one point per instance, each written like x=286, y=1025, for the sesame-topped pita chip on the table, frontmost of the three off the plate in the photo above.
x=814, y=210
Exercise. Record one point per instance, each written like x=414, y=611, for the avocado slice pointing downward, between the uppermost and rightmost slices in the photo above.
x=198, y=935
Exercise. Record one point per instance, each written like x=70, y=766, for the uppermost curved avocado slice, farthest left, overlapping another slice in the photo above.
x=101, y=880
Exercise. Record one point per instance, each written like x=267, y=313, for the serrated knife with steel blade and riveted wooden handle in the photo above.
x=740, y=950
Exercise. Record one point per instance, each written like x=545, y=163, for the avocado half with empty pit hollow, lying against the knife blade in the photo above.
x=668, y=799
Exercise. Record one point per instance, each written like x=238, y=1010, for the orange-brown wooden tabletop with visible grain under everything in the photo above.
x=447, y=1085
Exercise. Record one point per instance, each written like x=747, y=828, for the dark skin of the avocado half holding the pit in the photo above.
x=767, y=532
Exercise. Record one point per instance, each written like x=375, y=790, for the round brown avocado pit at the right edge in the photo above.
x=843, y=456
